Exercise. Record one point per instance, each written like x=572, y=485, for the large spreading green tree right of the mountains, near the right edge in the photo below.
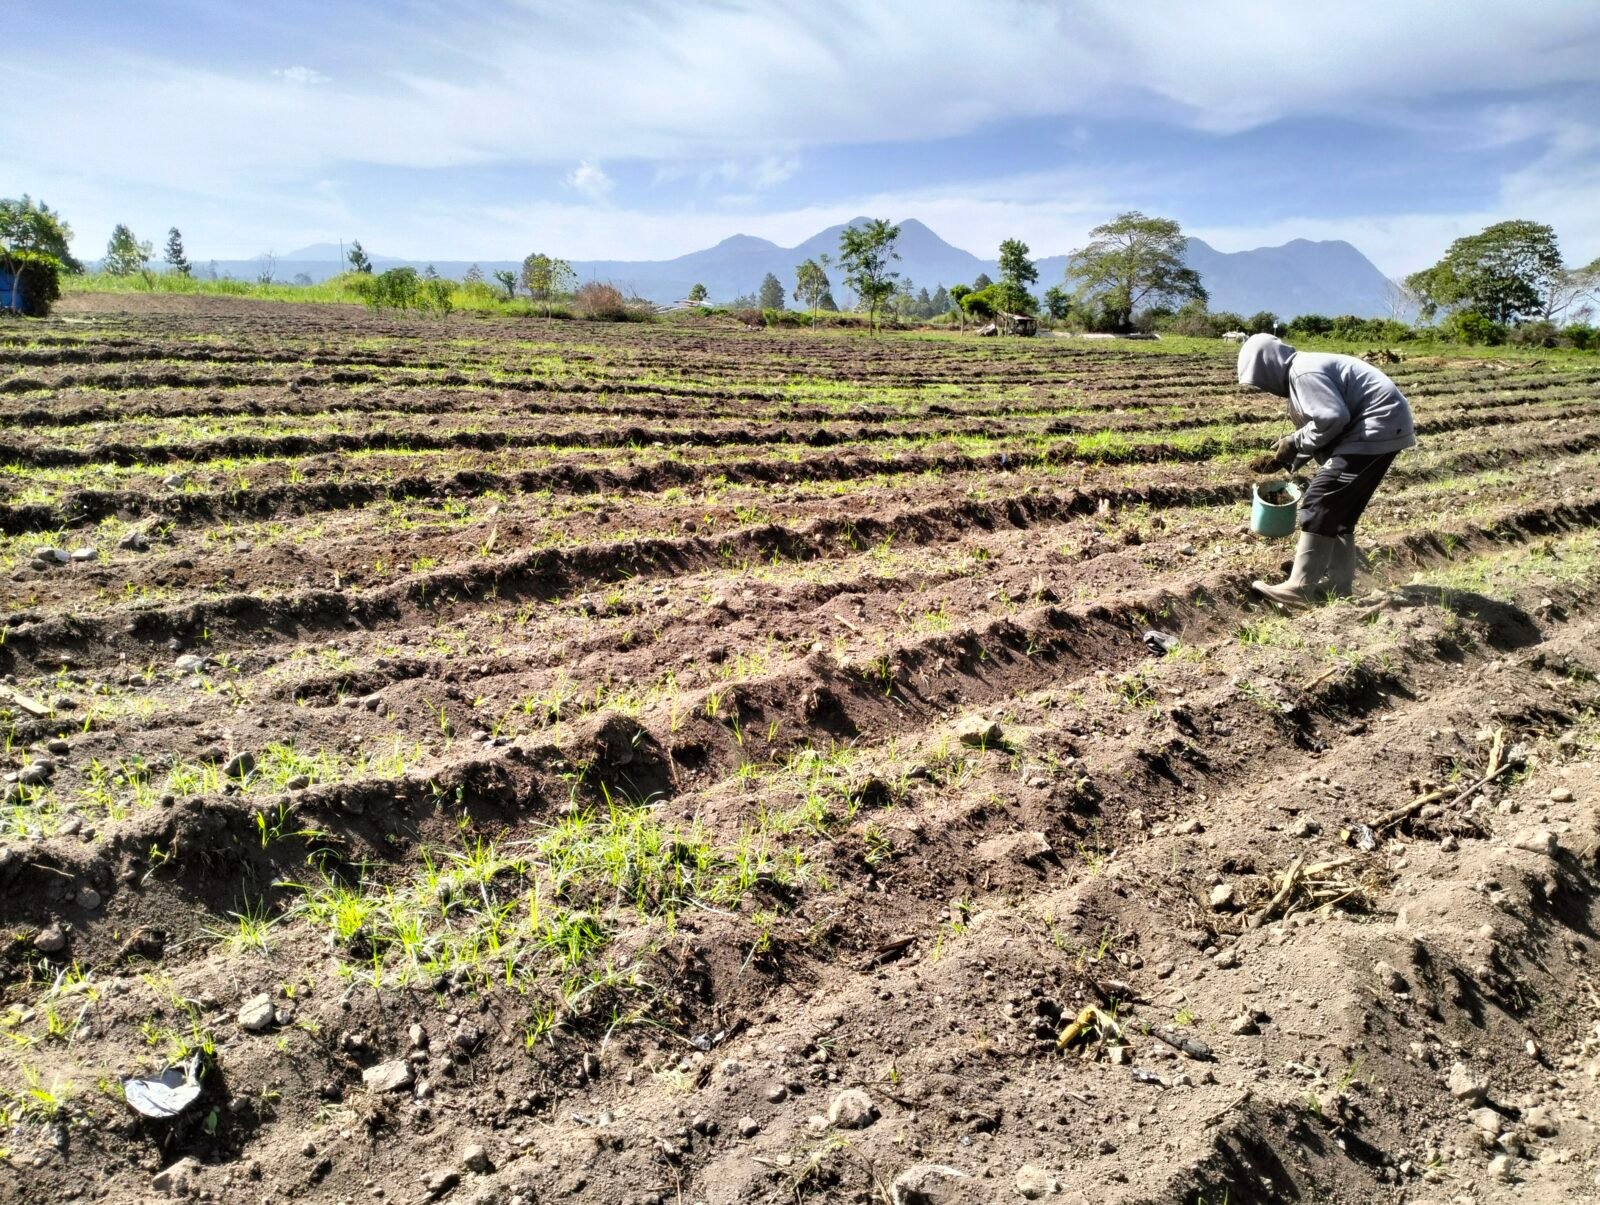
x=1506, y=273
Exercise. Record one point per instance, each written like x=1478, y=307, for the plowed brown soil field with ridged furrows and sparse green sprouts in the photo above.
x=559, y=763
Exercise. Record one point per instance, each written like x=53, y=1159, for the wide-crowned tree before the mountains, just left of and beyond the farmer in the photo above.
x=1134, y=262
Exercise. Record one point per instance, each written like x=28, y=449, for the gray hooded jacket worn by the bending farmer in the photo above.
x=1342, y=406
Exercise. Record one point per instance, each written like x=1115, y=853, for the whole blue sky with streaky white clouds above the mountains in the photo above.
x=647, y=129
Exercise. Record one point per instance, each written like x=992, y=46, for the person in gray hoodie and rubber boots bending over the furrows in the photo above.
x=1353, y=420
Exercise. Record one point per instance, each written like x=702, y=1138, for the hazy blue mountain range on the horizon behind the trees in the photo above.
x=1298, y=278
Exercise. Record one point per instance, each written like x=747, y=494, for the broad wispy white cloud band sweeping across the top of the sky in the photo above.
x=671, y=81
